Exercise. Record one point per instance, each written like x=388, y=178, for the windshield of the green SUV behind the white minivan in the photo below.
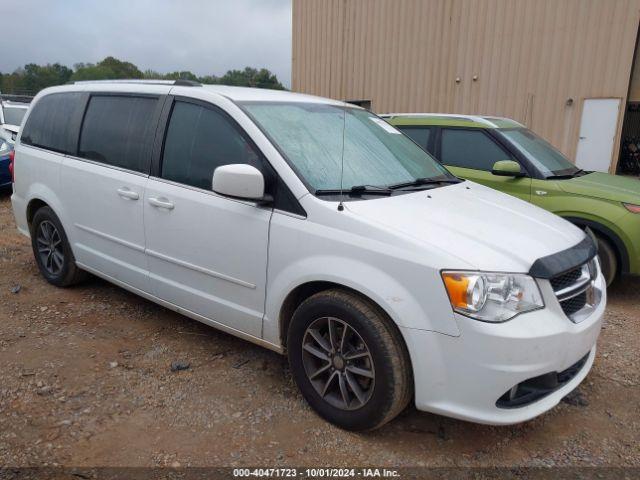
x=540, y=153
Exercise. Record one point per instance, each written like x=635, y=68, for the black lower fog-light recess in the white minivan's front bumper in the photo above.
x=533, y=389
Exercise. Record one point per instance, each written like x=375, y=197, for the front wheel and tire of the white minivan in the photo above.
x=349, y=360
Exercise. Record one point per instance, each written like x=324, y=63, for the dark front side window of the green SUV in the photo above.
x=470, y=149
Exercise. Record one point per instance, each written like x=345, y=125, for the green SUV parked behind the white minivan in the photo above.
x=502, y=154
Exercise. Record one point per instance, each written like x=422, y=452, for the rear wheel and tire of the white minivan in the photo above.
x=52, y=251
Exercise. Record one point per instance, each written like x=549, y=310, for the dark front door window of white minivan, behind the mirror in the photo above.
x=198, y=140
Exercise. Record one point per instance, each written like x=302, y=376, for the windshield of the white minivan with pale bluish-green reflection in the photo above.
x=376, y=155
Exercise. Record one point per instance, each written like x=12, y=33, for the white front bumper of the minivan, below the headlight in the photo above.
x=463, y=377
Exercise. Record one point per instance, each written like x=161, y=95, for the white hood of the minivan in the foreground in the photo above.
x=483, y=228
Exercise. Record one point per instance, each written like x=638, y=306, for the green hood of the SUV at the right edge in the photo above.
x=615, y=188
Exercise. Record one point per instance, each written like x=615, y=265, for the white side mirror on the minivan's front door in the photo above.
x=239, y=181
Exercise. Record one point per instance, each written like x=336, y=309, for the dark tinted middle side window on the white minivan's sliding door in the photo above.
x=118, y=131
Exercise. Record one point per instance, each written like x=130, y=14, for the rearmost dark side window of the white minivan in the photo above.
x=50, y=123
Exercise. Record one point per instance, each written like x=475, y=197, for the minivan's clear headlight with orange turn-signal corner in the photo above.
x=492, y=297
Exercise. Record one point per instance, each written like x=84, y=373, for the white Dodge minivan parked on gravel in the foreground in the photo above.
x=313, y=227
